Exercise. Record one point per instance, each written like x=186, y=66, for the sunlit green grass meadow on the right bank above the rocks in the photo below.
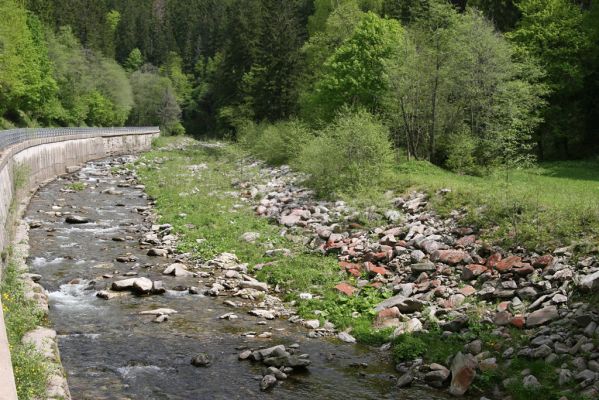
x=551, y=205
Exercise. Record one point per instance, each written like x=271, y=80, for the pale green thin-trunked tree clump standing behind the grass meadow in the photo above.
x=485, y=103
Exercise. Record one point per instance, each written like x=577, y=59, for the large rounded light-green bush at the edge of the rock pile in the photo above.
x=351, y=153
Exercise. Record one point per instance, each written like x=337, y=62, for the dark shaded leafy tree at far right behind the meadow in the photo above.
x=554, y=32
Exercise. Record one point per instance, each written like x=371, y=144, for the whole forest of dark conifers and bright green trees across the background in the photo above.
x=465, y=84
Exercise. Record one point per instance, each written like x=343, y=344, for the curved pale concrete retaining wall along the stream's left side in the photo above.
x=33, y=163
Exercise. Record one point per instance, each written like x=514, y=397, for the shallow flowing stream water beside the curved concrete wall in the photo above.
x=109, y=351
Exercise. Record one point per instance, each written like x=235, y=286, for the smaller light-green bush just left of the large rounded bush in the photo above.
x=280, y=143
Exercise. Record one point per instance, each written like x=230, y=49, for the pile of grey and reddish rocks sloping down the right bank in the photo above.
x=439, y=271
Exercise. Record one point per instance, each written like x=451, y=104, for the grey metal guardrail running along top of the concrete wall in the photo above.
x=11, y=137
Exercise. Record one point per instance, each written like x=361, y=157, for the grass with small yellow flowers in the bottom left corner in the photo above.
x=22, y=315
